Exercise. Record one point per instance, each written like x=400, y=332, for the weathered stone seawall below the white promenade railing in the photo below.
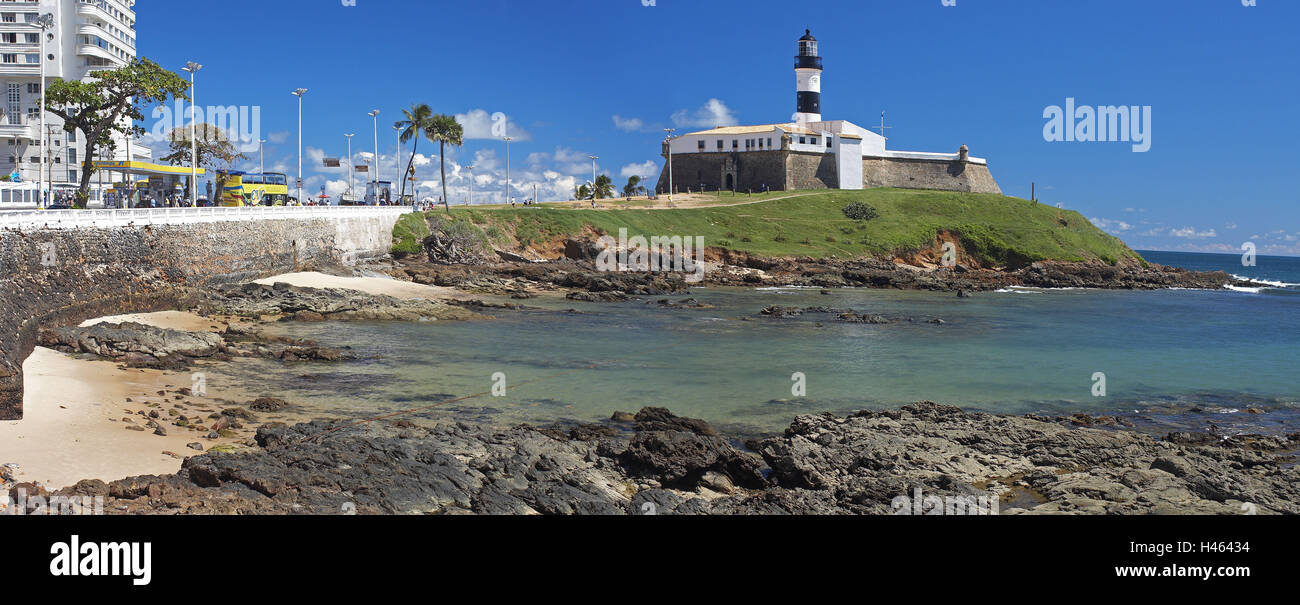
x=51, y=278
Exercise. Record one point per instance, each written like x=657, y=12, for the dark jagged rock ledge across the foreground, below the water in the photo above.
x=669, y=465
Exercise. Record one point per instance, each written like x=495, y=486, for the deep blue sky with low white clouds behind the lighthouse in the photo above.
x=604, y=77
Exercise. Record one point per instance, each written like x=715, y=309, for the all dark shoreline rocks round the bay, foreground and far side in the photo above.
x=653, y=461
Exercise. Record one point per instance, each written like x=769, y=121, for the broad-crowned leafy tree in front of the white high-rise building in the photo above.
x=109, y=105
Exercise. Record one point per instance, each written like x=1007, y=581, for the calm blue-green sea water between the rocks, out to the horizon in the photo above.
x=1013, y=352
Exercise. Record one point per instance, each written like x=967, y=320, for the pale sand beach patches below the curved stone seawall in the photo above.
x=77, y=410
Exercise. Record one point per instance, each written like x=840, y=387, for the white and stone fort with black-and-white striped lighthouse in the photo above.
x=812, y=153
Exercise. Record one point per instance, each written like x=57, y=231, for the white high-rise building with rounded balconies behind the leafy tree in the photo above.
x=88, y=36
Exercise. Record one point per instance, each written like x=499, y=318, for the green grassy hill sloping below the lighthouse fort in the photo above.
x=996, y=230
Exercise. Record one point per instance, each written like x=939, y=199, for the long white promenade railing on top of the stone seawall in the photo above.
x=107, y=219
